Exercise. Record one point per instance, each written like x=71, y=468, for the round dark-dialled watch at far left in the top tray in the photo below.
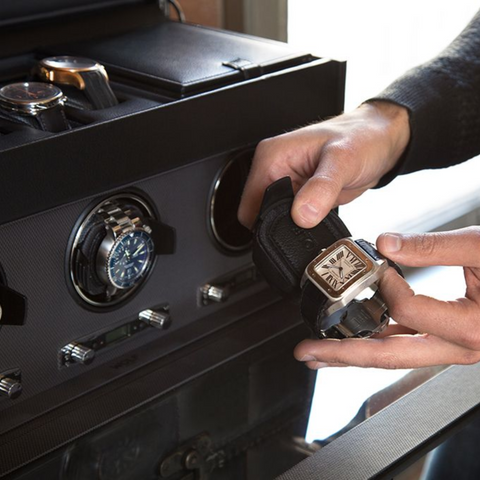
x=37, y=104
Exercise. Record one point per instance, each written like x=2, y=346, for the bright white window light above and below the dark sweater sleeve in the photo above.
x=380, y=41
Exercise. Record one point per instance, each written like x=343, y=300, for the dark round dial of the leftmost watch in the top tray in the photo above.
x=30, y=93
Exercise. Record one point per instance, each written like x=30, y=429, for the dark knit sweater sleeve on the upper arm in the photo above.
x=443, y=99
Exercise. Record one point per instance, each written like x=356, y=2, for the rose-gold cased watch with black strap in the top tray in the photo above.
x=86, y=75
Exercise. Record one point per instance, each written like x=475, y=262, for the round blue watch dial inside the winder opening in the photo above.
x=130, y=259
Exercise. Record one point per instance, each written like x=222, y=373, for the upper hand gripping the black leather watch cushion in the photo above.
x=330, y=163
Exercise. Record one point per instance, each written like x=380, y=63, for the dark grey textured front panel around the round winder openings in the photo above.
x=33, y=253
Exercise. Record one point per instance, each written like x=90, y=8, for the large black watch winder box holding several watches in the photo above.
x=137, y=339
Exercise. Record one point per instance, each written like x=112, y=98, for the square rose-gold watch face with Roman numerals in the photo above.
x=339, y=267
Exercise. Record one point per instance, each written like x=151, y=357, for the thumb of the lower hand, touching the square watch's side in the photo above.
x=457, y=247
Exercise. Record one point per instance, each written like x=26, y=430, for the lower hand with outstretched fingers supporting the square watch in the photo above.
x=449, y=331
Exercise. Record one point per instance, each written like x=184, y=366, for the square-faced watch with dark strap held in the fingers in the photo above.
x=340, y=296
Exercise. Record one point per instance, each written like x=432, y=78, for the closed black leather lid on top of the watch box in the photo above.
x=185, y=58
